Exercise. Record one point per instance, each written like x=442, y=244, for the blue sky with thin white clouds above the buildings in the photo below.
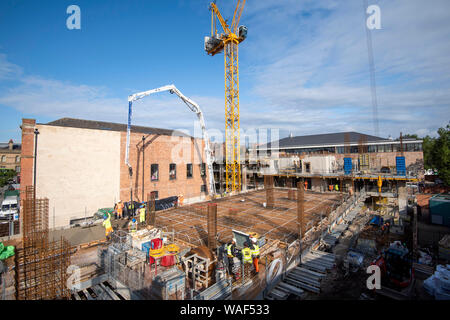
x=303, y=67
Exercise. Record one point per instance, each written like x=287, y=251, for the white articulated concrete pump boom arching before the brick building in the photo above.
x=194, y=107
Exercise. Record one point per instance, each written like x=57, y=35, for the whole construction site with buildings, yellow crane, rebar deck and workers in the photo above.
x=301, y=218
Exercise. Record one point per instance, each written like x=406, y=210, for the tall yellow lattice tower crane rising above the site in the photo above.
x=228, y=42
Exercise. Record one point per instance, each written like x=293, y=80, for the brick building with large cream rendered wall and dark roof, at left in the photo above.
x=81, y=165
